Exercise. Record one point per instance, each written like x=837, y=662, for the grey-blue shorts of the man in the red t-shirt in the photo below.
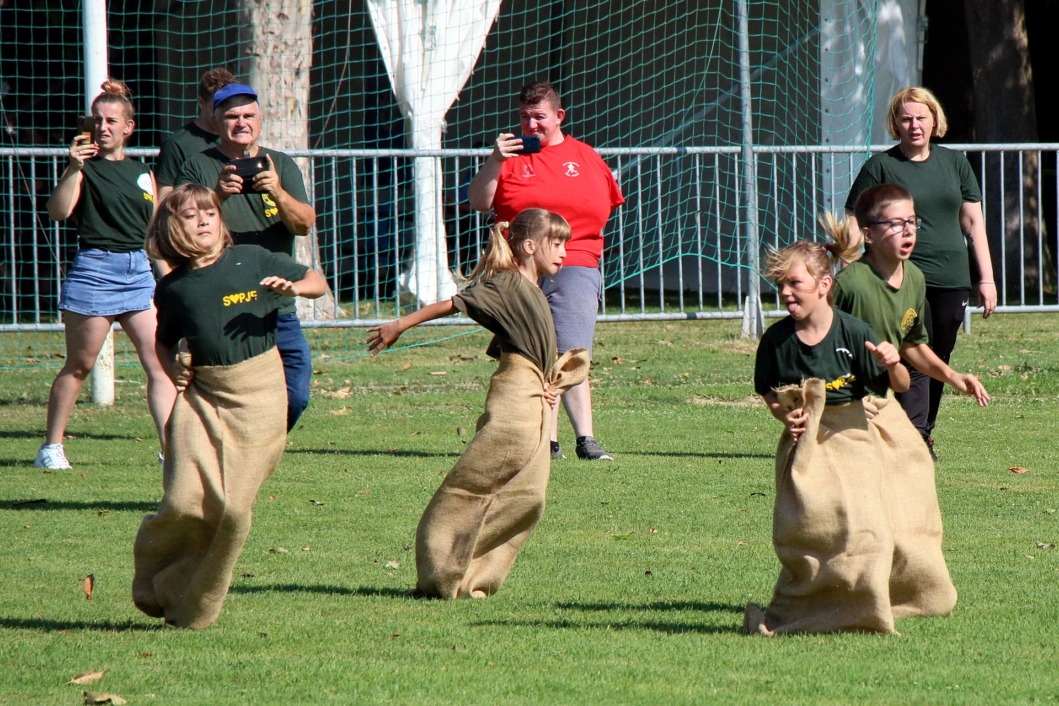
x=573, y=295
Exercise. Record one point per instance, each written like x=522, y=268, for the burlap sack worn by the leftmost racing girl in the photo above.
x=226, y=437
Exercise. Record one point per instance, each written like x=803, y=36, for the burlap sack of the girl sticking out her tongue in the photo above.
x=831, y=528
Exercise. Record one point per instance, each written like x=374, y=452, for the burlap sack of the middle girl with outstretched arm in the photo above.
x=491, y=502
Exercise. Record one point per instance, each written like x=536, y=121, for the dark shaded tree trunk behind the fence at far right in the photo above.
x=1003, y=112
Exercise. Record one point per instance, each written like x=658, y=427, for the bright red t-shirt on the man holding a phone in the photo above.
x=569, y=179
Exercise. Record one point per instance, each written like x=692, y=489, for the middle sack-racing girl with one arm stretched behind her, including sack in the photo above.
x=491, y=502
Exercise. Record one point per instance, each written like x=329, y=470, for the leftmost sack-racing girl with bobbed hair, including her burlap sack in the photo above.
x=228, y=428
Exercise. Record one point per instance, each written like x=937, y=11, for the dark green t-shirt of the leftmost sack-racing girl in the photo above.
x=222, y=310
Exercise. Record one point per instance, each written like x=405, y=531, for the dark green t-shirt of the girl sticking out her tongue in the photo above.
x=848, y=369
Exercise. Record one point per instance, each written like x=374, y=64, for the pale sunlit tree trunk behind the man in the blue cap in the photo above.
x=278, y=42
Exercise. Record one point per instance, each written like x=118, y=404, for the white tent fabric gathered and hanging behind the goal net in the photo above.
x=430, y=48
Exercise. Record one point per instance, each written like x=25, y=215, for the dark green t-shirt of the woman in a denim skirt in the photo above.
x=116, y=205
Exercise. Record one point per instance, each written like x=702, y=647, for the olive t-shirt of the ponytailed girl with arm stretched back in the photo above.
x=516, y=311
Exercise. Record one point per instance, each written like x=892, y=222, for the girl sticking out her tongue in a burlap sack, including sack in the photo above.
x=832, y=529
